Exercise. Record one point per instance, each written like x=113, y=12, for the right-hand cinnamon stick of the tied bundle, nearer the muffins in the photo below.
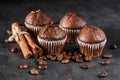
x=37, y=51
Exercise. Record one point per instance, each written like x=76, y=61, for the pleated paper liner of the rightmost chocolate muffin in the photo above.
x=93, y=50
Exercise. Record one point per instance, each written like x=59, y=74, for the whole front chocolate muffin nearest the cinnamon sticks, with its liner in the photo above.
x=52, y=38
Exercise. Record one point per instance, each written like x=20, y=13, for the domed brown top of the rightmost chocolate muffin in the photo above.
x=91, y=35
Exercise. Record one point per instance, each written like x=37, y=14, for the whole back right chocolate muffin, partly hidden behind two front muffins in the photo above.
x=71, y=24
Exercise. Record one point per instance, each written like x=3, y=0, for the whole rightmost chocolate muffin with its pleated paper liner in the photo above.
x=91, y=40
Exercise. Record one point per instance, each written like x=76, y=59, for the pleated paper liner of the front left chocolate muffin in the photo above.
x=52, y=46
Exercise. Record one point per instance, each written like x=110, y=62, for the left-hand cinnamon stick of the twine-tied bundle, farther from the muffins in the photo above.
x=22, y=43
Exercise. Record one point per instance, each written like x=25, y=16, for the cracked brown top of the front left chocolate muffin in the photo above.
x=51, y=32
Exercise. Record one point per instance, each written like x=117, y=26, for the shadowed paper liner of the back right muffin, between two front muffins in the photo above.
x=72, y=34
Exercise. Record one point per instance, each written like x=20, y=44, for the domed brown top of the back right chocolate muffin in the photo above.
x=72, y=21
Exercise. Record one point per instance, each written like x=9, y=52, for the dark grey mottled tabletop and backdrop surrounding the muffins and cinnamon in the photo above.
x=102, y=13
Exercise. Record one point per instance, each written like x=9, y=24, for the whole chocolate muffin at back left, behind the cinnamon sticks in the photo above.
x=35, y=20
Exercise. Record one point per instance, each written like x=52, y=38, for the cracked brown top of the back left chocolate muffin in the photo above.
x=38, y=18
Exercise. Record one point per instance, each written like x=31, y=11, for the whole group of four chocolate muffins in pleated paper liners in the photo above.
x=72, y=29
